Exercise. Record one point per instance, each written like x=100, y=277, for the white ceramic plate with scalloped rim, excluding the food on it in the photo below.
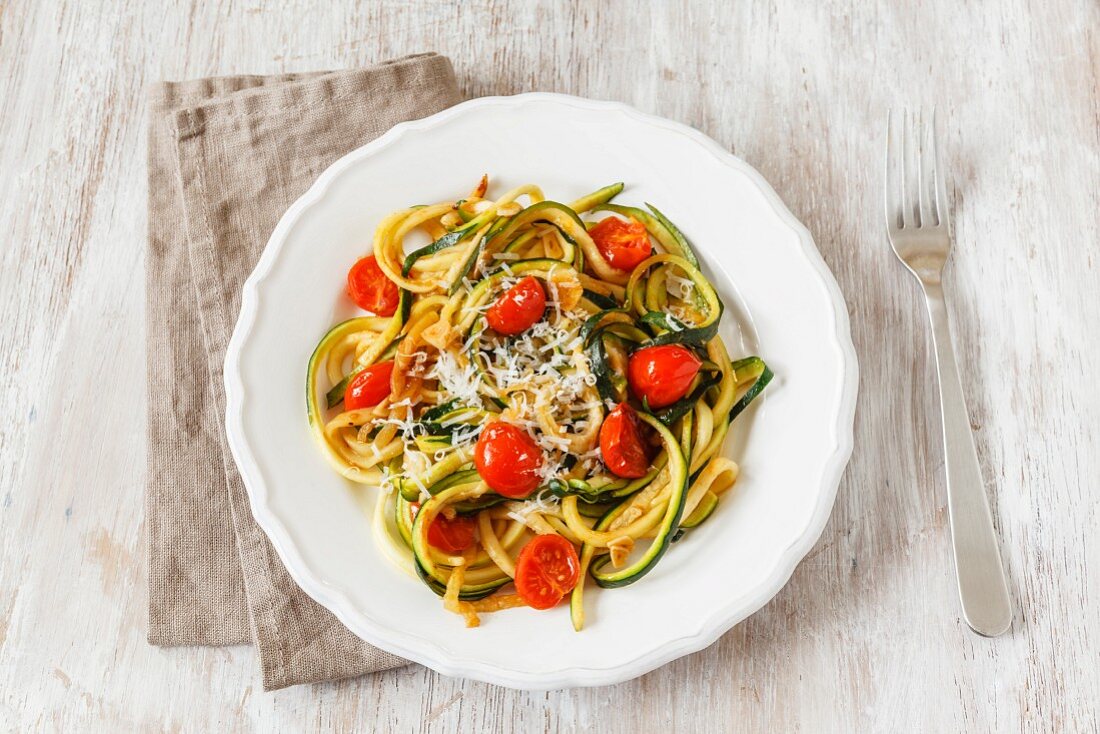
x=783, y=303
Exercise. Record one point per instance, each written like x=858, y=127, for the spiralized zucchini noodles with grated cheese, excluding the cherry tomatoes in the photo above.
x=557, y=381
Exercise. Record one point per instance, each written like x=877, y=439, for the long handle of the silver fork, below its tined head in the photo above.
x=983, y=587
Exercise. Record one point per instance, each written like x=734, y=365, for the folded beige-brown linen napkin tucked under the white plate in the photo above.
x=227, y=157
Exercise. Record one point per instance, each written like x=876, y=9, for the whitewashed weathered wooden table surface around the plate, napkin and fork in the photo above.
x=867, y=636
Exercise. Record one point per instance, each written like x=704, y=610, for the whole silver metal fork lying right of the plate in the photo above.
x=919, y=224
